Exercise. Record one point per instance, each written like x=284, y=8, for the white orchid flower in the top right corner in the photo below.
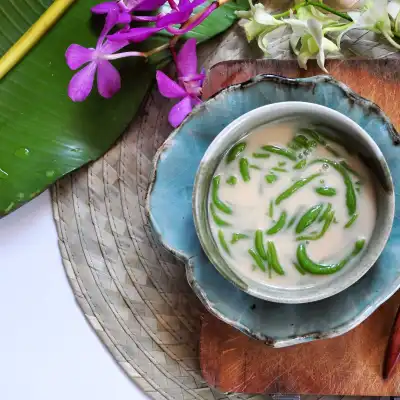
x=375, y=17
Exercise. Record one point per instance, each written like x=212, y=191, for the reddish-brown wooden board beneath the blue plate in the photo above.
x=347, y=365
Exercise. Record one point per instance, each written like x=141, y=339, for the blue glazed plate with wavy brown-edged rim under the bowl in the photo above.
x=169, y=205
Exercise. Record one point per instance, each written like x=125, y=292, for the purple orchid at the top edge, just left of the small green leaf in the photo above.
x=178, y=15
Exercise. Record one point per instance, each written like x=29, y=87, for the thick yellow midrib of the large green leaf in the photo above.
x=32, y=36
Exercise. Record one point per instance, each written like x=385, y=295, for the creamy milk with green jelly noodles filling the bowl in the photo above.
x=285, y=199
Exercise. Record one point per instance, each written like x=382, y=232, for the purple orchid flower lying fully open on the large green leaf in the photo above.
x=108, y=78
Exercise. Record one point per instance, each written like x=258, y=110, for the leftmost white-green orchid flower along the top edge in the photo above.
x=260, y=21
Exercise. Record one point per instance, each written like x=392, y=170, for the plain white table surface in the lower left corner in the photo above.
x=47, y=349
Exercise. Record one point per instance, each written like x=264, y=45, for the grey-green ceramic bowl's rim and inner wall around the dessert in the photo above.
x=351, y=136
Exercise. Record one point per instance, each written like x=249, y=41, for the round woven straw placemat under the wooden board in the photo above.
x=131, y=290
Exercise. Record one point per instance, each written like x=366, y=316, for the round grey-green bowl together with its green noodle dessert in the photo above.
x=295, y=199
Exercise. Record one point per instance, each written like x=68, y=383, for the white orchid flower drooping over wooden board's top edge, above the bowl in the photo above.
x=309, y=34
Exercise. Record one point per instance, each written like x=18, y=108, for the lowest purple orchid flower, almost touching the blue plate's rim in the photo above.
x=188, y=87
